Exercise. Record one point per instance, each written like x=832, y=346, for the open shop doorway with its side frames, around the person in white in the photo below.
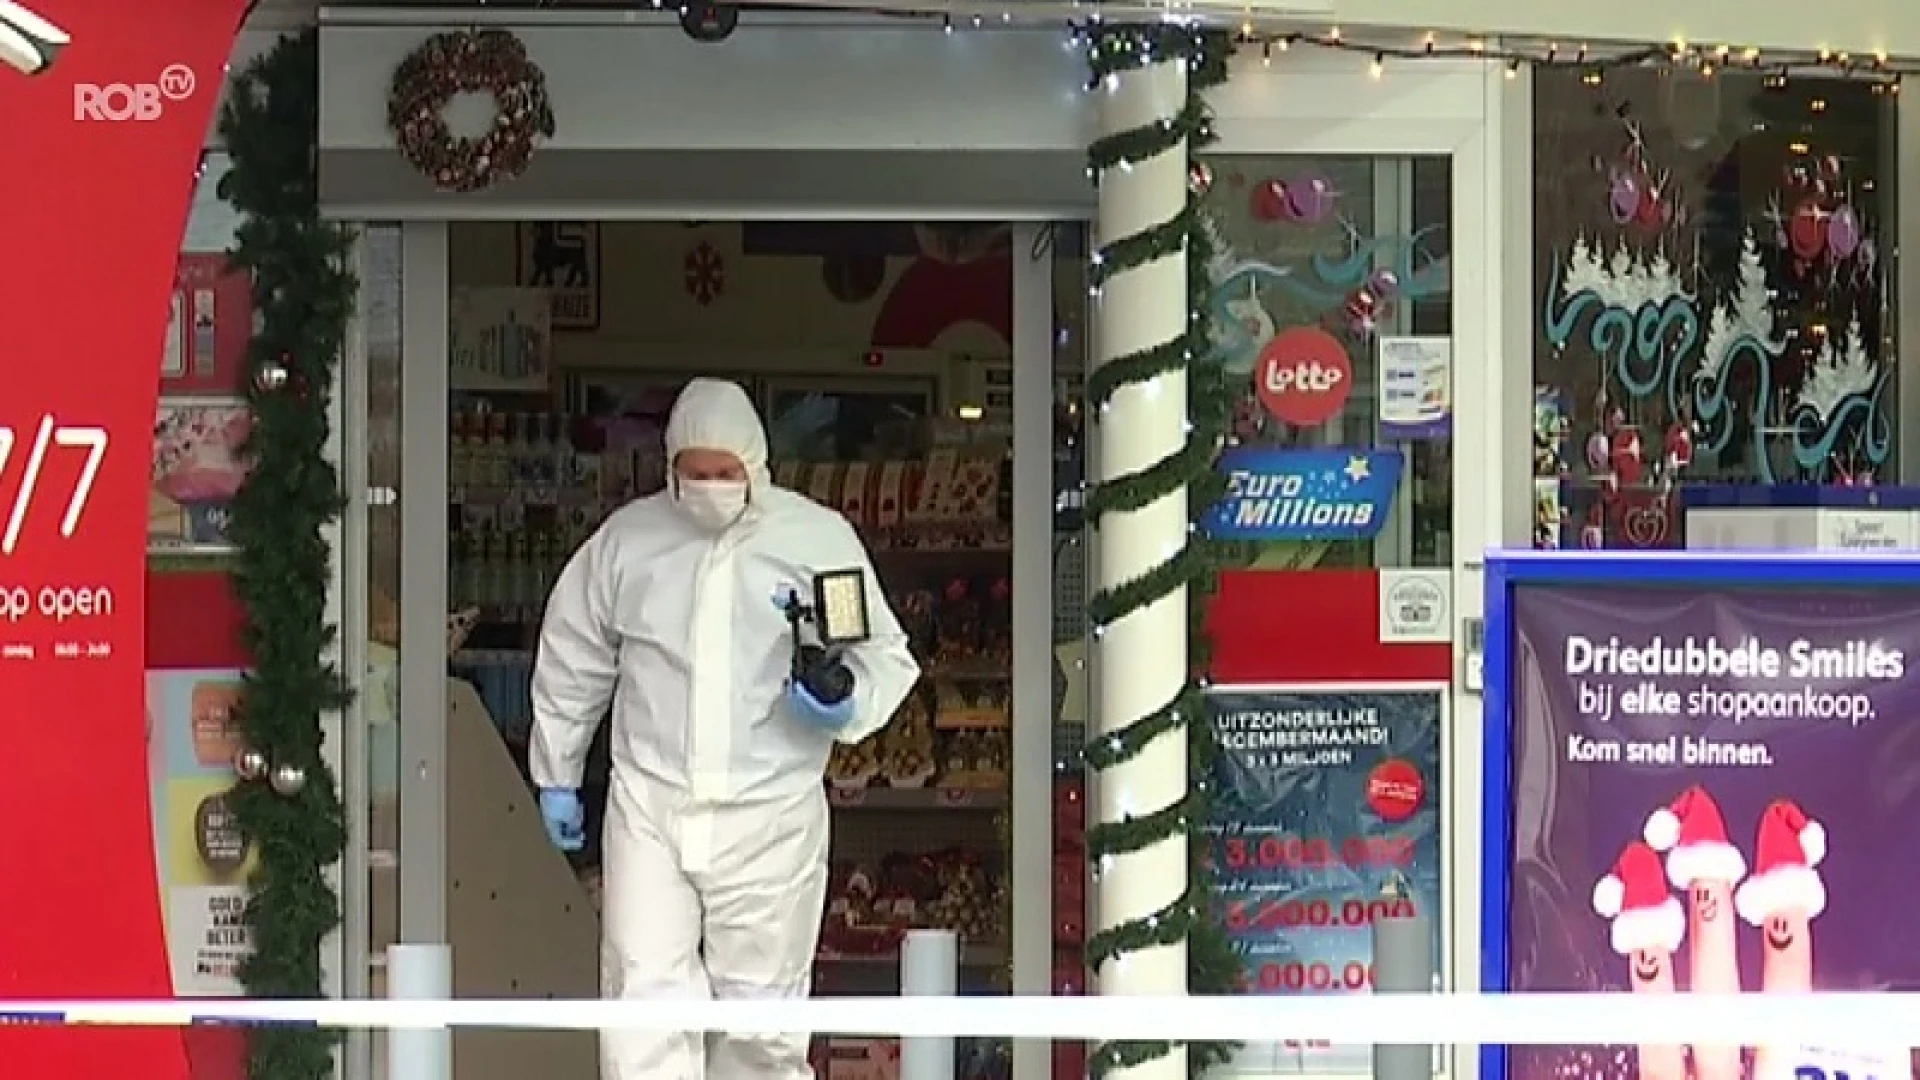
x=888, y=362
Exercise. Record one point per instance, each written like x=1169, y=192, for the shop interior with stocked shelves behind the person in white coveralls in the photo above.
x=880, y=360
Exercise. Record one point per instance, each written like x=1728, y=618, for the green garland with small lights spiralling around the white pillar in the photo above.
x=1214, y=966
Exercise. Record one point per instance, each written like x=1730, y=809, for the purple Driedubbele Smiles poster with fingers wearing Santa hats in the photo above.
x=1714, y=791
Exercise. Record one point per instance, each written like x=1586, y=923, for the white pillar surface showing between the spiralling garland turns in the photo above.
x=1141, y=658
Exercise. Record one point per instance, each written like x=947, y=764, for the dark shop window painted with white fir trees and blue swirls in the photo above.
x=1712, y=297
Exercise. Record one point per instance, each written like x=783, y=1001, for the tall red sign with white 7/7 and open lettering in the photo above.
x=112, y=105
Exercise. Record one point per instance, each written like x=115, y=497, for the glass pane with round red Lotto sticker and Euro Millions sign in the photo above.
x=1333, y=297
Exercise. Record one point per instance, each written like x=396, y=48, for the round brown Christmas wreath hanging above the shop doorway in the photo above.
x=469, y=62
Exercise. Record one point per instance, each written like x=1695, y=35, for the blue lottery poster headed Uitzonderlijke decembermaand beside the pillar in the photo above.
x=1328, y=800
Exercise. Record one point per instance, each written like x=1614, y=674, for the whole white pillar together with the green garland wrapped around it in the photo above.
x=1159, y=424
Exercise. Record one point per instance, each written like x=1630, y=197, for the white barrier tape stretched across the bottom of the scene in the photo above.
x=1443, y=1019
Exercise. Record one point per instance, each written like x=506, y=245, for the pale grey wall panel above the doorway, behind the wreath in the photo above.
x=648, y=87
